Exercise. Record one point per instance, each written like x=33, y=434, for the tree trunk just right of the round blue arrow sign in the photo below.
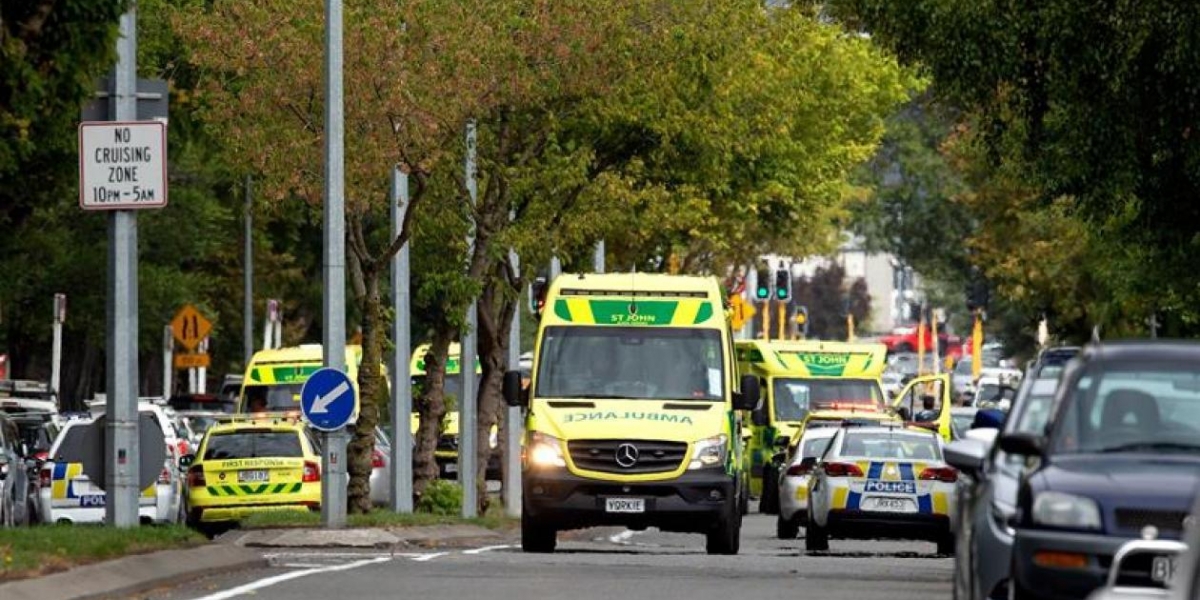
x=371, y=395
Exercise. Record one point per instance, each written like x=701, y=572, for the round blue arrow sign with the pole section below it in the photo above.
x=329, y=403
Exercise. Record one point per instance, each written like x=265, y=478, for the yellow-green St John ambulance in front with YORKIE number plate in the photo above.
x=633, y=413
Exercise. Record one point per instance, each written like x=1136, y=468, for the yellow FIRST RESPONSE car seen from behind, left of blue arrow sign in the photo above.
x=251, y=466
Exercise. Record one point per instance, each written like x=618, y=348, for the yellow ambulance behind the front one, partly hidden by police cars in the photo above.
x=819, y=382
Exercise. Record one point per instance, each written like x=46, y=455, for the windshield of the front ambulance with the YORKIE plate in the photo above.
x=631, y=363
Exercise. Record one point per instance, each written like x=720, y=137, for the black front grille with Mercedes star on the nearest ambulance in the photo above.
x=650, y=457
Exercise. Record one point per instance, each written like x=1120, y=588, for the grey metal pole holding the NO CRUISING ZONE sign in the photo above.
x=122, y=452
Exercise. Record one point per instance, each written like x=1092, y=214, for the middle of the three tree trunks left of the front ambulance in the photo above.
x=431, y=406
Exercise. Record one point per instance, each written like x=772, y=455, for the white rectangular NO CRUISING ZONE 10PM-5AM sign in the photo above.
x=123, y=165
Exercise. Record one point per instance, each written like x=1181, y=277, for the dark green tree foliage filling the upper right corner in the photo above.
x=1083, y=119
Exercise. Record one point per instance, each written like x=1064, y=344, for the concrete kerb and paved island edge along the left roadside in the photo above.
x=233, y=551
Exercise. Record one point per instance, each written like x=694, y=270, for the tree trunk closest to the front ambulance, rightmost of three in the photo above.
x=495, y=313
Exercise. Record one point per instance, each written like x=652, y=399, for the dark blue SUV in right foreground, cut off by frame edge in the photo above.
x=1120, y=460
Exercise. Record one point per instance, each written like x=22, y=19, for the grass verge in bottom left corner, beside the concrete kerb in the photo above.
x=34, y=551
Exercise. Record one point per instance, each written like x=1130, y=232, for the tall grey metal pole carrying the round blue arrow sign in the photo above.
x=333, y=465
